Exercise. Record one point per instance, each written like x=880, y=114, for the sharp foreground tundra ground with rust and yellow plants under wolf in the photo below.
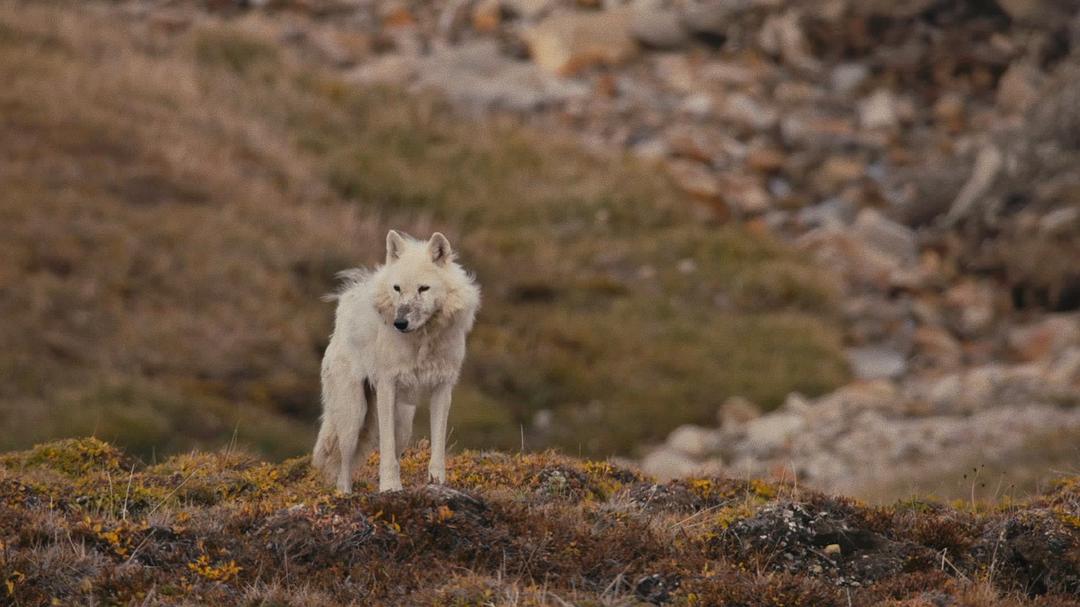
x=82, y=523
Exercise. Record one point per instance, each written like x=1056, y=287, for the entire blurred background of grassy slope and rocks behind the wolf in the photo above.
x=830, y=241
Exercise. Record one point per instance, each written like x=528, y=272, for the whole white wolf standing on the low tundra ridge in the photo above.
x=399, y=336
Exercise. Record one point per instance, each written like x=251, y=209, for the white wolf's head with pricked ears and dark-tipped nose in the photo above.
x=418, y=281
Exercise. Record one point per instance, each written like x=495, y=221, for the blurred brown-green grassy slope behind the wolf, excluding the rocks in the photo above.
x=173, y=204
